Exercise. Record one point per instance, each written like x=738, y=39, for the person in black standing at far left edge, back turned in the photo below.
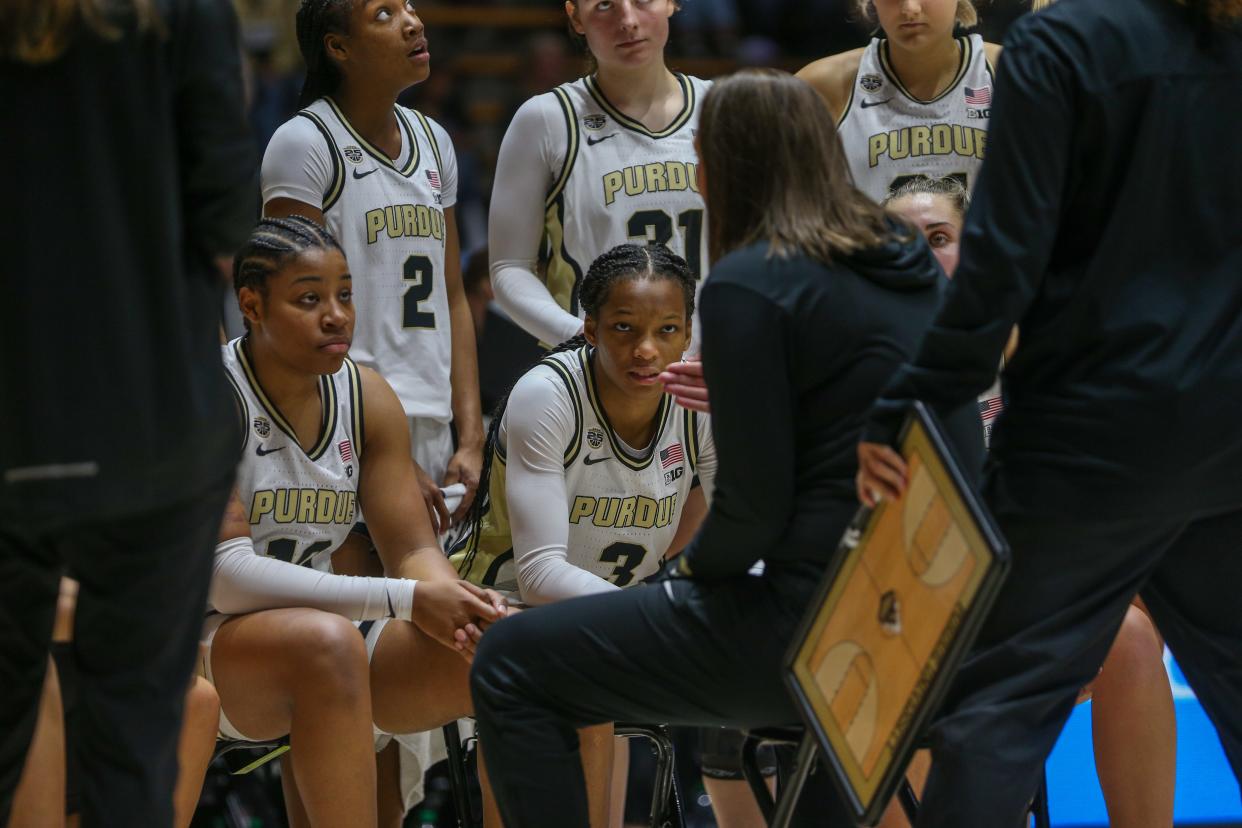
x=129, y=171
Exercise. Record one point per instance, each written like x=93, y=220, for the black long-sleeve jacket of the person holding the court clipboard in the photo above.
x=1107, y=224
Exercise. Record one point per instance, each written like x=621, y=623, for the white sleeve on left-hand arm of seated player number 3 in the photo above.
x=538, y=425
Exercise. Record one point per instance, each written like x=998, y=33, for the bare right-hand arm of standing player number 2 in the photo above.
x=468, y=462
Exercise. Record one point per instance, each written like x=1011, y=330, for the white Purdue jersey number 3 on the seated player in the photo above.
x=623, y=508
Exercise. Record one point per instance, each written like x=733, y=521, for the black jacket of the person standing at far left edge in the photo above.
x=127, y=169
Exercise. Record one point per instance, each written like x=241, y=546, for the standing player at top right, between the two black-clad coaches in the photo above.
x=916, y=101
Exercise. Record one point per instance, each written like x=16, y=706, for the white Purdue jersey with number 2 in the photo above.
x=388, y=217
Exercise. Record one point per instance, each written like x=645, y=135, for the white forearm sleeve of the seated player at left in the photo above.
x=245, y=582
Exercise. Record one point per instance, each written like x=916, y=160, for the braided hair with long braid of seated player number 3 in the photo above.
x=623, y=264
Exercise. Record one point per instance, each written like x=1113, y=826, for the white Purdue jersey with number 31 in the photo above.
x=622, y=183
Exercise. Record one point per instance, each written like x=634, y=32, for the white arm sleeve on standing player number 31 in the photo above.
x=531, y=158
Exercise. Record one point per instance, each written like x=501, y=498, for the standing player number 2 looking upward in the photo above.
x=384, y=181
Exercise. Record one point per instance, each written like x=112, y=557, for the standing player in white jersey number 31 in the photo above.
x=603, y=161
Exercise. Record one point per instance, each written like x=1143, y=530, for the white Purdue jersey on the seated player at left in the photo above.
x=301, y=505
